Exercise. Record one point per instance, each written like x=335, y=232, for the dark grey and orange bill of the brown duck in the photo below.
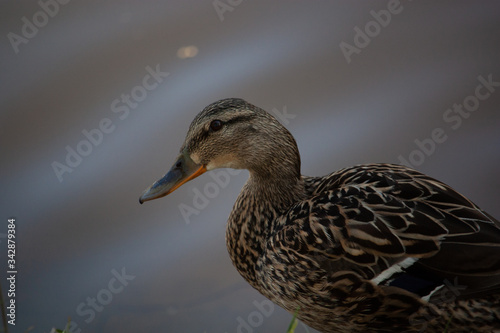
x=183, y=170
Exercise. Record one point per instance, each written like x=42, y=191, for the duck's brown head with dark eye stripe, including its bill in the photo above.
x=231, y=133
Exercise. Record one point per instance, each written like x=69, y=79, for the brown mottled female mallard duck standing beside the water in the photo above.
x=371, y=248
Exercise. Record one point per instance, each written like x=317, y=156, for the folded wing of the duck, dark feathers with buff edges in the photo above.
x=394, y=226
